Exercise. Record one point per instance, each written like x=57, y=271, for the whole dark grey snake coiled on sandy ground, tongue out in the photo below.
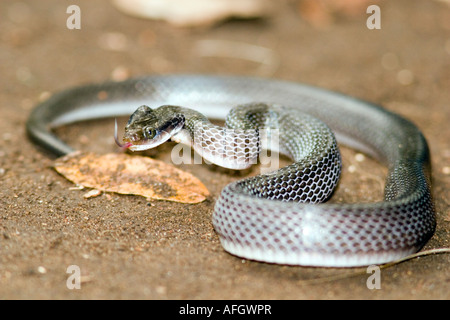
x=280, y=216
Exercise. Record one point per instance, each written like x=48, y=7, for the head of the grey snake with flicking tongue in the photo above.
x=147, y=129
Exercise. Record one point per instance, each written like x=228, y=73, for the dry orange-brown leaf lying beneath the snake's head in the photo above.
x=125, y=174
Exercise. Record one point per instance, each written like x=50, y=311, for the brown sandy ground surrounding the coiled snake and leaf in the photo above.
x=127, y=247
